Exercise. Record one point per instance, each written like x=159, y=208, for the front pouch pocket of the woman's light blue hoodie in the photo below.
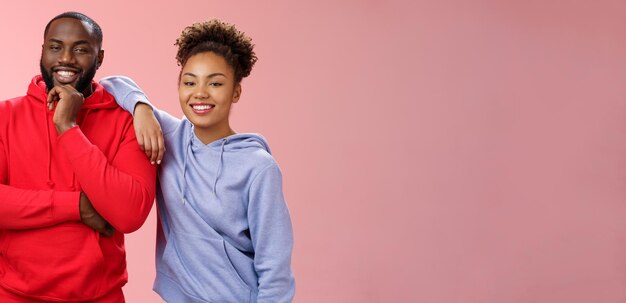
x=202, y=268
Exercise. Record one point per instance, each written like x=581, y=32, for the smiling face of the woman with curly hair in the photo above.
x=206, y=90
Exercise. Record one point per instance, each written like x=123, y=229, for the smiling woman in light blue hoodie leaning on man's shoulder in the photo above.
x=224, y=231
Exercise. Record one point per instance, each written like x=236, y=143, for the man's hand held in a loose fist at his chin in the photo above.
x=69, y=103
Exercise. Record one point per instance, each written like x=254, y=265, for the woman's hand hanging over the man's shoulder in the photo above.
x=148, y=132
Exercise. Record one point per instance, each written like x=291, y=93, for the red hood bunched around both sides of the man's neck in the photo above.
x=97, y=100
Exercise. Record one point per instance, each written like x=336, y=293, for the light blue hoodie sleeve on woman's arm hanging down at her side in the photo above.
x=272, y=237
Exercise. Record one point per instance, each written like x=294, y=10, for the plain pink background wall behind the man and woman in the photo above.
x=433, y=151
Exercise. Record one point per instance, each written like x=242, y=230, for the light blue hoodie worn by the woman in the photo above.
x=224, y=231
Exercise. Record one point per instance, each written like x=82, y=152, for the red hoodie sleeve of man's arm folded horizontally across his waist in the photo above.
x=24, y=209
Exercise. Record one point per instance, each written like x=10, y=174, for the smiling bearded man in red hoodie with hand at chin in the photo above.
x=72, y=179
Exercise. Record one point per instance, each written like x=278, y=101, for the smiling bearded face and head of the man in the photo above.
x=70, y=55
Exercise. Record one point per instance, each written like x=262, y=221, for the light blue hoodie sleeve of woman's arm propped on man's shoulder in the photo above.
x=127, y=94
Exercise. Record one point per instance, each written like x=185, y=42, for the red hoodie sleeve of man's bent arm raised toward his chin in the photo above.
x=123, y=190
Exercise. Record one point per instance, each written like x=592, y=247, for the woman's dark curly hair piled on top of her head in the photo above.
x=220, y=38
